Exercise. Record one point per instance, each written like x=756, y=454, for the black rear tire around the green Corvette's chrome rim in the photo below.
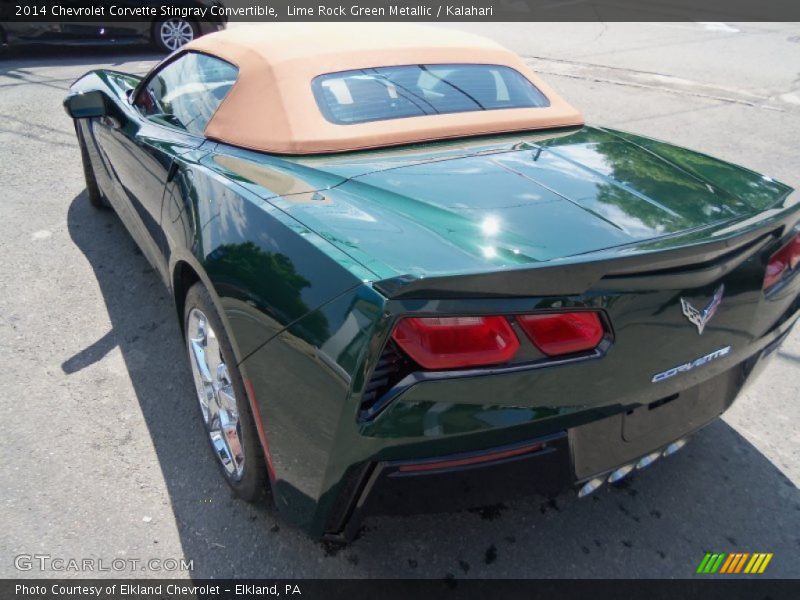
x=253, y=483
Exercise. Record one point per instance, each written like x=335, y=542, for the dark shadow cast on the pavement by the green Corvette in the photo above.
x=718, y=494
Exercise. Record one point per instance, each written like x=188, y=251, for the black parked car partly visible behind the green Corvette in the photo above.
x=166, y=33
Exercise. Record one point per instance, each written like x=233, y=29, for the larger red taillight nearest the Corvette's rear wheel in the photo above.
x=454, y=342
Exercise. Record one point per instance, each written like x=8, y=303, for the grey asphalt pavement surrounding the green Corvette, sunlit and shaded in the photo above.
x=103, y=452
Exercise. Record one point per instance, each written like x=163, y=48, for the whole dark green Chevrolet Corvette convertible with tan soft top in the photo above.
x=410, y=278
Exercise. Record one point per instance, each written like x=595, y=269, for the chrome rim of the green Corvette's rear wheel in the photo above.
x=215, y=393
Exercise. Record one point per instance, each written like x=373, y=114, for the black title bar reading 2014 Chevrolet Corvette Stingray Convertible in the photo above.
x=110, y=11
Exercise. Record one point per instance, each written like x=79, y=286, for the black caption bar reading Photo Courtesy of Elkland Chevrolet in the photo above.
x=702, y=587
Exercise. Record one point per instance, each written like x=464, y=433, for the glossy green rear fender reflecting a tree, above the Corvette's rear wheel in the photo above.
x=266, y=269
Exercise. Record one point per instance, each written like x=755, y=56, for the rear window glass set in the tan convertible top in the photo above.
x=383, y=93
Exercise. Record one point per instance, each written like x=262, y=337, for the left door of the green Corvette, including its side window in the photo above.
x=171, y=109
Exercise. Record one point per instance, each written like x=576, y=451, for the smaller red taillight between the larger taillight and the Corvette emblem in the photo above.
x=563, y=333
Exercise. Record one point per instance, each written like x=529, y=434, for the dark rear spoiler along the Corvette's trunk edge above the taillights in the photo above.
x=642, y=266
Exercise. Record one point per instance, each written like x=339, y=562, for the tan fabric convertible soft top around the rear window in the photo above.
x=272, y=108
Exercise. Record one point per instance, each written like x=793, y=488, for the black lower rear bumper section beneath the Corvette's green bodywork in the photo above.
x=544, y=465
